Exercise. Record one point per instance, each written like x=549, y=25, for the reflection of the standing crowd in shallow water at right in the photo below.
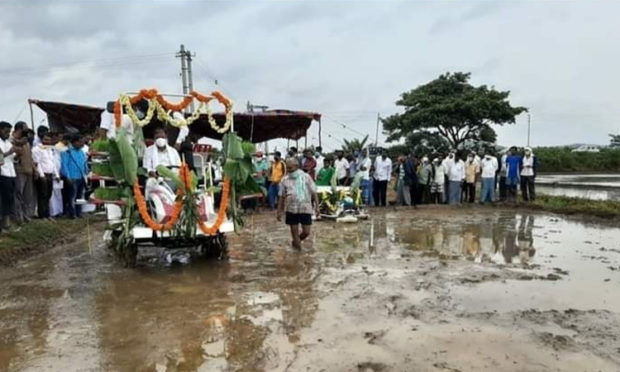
x=498, y=238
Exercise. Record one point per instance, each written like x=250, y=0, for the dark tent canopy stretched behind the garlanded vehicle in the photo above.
x=251, y=126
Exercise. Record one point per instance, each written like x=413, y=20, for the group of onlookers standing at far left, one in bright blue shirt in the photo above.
x=42, y=175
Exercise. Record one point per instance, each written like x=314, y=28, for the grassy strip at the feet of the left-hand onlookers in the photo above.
x=40, y=234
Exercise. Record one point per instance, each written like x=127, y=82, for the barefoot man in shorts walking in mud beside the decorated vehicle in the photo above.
x=297, y=196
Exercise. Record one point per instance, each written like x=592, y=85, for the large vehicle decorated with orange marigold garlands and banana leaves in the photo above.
x=176, y=209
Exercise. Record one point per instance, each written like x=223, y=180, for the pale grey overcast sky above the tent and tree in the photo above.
x=348, y=60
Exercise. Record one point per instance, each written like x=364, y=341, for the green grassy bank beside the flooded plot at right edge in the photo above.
x=566, y=205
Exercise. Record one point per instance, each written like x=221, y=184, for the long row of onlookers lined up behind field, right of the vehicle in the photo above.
x=453, y=178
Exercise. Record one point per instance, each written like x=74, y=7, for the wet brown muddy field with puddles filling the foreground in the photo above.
x=433, y=290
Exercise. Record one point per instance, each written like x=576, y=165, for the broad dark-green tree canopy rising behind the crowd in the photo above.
x=451, y=107
